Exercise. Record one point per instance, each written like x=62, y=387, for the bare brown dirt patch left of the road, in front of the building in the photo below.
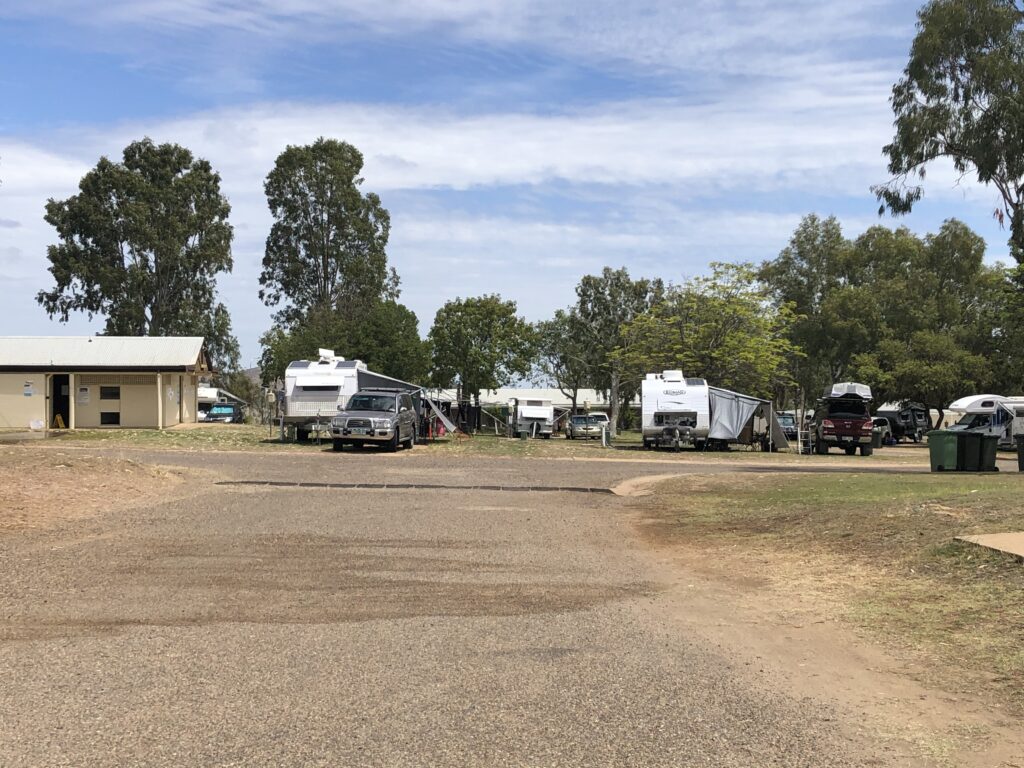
x=44, y=486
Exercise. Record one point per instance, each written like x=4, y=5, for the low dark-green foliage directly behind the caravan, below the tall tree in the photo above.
x=386, y=337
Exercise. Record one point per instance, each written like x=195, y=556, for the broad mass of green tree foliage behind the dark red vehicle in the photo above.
x=912, y=317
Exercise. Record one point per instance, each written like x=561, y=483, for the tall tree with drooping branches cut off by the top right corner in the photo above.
x=960, y=99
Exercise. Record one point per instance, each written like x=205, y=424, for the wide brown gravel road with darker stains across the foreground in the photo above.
x=254, y=626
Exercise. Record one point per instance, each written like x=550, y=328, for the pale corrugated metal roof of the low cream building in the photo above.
x=100, y=352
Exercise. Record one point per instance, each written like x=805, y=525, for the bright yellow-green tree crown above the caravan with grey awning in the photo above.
x=723, y=328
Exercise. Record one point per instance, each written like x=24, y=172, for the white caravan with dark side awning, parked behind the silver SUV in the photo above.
x=316, y=391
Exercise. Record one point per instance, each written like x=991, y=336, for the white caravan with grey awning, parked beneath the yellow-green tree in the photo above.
x=678, y=412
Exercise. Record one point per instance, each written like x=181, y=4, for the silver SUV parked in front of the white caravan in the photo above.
x=376, y=417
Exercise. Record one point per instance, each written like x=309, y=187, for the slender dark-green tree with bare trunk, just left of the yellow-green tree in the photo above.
x=606, y=304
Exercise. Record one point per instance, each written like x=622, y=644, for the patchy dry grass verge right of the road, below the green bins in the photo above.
x=876, y=551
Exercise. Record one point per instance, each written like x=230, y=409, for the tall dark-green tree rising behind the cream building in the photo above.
x=142, y=244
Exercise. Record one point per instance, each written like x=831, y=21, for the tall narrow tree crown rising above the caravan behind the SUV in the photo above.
x=327, y=247
